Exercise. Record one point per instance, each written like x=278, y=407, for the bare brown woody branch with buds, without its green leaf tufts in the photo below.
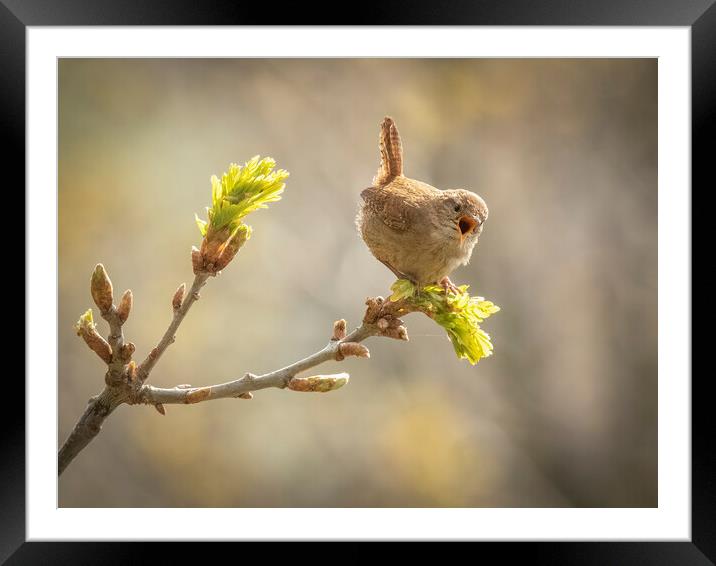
x=125, y=381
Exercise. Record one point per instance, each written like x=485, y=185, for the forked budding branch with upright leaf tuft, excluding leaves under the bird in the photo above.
x=240, y=191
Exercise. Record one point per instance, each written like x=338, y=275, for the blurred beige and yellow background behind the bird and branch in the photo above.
x=564, y=152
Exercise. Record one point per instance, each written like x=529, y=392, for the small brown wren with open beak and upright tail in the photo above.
x=419, y=232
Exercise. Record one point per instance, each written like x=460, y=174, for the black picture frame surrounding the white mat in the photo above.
x=699, y=15
